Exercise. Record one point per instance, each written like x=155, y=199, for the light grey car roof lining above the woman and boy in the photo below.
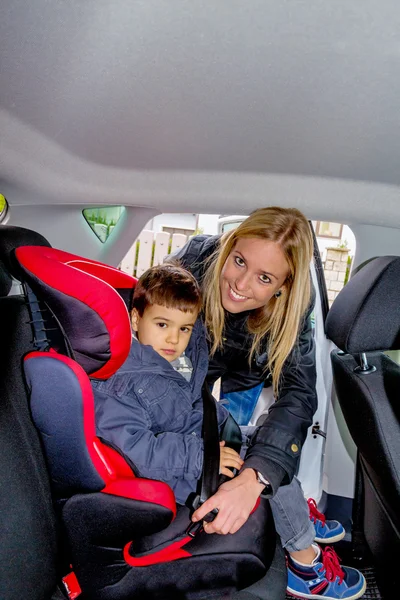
x=219, y=107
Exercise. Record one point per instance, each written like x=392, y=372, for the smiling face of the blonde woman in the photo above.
x=253, y=272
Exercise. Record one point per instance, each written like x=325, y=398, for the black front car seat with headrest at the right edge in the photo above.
x=364, y=322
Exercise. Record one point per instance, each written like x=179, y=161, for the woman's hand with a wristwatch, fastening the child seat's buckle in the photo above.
x=235, y=500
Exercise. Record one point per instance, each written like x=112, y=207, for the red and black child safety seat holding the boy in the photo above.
x=126, y=536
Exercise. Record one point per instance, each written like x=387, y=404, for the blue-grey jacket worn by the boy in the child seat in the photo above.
x=154, y=416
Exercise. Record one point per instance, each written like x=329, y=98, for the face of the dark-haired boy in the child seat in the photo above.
x=167, y=330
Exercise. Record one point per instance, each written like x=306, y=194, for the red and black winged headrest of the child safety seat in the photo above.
x=81, y=294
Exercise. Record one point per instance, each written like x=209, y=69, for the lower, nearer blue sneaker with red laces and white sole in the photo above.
x=324, y=579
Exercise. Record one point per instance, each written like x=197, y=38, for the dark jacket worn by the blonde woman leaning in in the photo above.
x=275, y=447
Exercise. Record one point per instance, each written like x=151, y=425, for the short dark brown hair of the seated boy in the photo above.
x=168, y=285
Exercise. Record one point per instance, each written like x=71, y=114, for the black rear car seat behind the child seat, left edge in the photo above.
x=29, y=556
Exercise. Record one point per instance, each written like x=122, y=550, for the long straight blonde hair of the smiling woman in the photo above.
x=282, y=318
